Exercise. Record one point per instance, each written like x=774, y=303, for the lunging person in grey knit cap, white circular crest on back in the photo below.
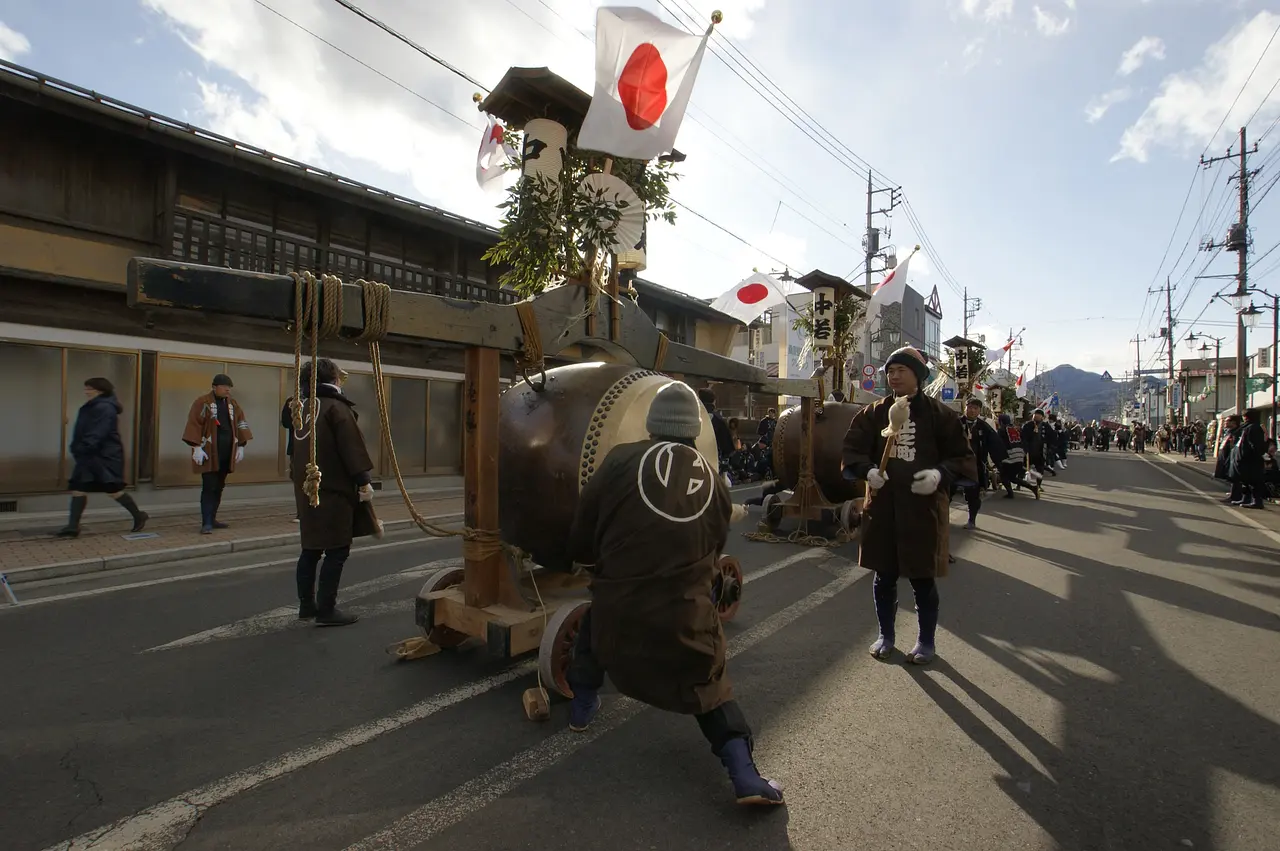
x=651, y=527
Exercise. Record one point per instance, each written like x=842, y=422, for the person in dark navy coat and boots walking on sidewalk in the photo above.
x=99, y=456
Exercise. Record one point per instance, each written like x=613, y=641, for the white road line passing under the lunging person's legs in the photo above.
x=442, y=813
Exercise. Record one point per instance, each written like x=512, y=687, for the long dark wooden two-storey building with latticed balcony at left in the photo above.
x=90, y=182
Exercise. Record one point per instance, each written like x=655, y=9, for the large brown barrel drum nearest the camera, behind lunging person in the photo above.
x=552, y=441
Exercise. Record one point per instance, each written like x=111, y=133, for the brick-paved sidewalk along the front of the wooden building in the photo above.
x=34, y=555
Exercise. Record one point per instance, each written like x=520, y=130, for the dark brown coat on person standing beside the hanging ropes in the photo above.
x=345, y=465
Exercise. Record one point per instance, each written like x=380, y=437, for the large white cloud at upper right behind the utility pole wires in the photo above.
x=1187, y=112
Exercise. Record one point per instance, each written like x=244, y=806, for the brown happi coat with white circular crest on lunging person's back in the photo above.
x=652, y=524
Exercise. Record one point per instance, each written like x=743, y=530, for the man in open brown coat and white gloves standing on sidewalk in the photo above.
x=217, y=433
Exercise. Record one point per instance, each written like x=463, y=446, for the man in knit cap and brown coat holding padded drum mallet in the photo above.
x=907, y=524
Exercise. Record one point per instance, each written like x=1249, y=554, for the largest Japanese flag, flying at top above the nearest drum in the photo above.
x=644, y=75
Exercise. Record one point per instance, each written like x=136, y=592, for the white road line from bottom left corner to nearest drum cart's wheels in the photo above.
x=163, y=826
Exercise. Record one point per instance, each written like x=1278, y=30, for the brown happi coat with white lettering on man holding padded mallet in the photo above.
x=900, y=530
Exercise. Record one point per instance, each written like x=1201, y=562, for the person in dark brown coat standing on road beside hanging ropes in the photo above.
x=346, y=487
